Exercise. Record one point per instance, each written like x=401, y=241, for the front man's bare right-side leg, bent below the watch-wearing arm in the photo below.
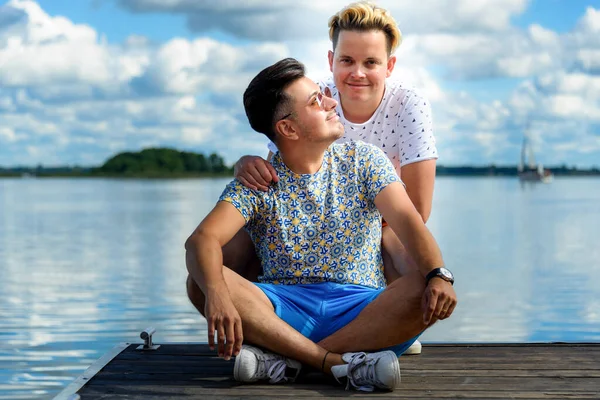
x=394, y=317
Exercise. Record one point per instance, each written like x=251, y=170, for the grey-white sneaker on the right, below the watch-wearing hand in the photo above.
x=365, y=371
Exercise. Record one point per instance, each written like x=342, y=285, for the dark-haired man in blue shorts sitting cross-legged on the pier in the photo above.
x=321, y=300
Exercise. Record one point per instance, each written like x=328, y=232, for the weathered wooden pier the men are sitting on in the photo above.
x=478, y=371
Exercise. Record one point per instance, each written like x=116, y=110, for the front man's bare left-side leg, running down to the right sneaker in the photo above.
x=262, y=327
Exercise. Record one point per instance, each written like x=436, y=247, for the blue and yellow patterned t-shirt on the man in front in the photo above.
x=320, y=227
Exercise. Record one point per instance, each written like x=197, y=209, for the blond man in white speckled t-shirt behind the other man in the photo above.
x=374, y=107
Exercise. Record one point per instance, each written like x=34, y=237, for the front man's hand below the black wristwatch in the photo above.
x=439, y=301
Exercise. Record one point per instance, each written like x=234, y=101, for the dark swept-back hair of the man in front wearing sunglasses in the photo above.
x=265, y=101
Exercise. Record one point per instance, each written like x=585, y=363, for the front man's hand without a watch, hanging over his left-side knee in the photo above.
x=222, y=316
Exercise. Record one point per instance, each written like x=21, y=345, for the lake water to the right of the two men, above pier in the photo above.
x=525, y=259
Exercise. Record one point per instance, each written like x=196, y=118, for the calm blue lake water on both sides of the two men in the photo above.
x=88, y=263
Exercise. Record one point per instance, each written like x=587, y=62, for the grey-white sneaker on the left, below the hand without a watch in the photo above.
x=254, y=364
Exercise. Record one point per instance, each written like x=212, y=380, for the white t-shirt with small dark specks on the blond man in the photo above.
x=401, y=126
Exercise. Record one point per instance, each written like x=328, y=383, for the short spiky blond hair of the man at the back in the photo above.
x=365, y=16
